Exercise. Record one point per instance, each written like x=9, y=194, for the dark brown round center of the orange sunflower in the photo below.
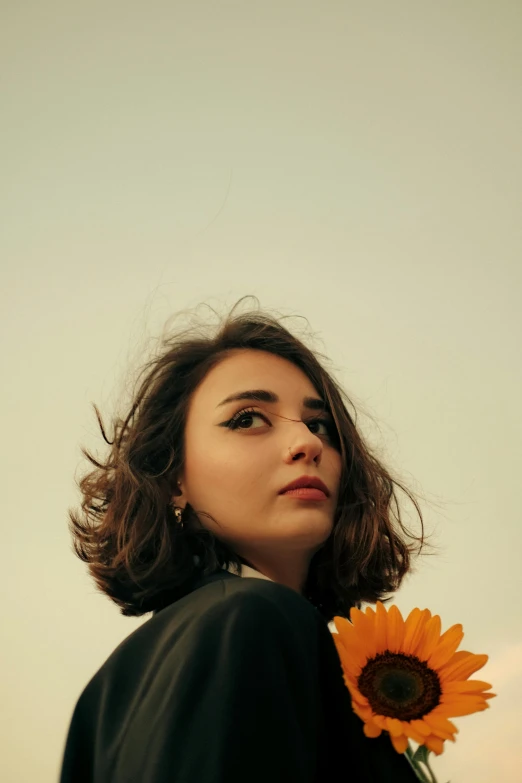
x=399, y=686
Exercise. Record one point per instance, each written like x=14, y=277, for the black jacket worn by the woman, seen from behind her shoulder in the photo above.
x=239, y=680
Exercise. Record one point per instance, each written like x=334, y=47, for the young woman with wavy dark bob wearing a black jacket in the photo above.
x=240, y=505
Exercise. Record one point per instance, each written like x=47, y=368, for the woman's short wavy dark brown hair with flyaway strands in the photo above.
x=143, y=559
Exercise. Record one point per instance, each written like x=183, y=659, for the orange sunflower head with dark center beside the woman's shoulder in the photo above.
x=406, y=678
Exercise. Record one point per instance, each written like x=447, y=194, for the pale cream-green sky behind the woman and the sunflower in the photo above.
x=358, y=164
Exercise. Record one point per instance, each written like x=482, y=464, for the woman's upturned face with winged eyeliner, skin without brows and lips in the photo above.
x=236, y=474
